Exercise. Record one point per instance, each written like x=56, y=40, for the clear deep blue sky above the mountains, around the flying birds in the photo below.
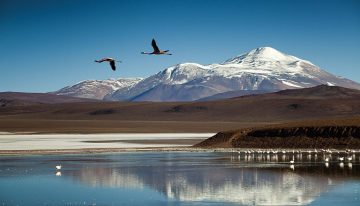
x=46, y=45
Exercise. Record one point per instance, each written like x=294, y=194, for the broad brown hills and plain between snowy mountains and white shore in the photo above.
x=76, y=115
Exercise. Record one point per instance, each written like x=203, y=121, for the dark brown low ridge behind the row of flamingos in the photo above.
x=339, y=137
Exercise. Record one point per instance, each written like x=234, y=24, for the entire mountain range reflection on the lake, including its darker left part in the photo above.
x=249, y=186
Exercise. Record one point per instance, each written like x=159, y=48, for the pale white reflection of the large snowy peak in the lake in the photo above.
x=247, y=186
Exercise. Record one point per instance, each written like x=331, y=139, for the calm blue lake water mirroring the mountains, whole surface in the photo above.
x=178, y=178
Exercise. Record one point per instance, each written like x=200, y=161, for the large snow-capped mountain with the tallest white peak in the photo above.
x=263, y=69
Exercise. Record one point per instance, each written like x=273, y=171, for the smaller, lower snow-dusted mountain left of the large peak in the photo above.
x=97, y=89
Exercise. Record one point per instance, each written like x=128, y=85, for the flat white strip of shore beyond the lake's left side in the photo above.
x=29, y=143
